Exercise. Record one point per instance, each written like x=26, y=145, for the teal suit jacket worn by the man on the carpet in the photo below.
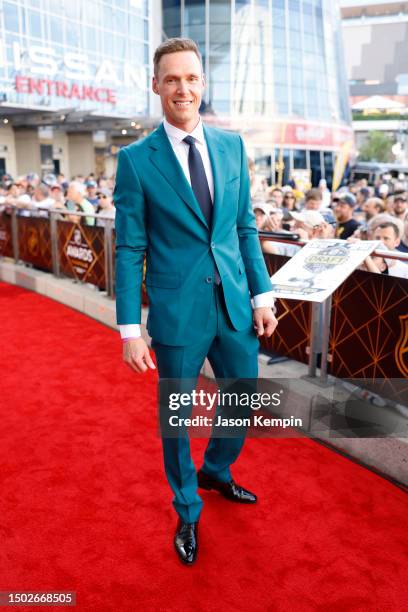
x=158, y=215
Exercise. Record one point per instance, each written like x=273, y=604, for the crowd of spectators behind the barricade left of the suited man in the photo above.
x=33, y=196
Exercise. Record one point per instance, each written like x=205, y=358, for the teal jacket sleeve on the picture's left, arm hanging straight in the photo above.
x=131, y=241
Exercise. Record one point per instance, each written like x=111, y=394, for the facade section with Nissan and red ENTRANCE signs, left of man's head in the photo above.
x=72, y=74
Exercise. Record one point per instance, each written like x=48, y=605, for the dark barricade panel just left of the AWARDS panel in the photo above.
x=34, y=242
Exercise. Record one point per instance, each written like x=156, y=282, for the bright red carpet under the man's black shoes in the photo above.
x=84, y=505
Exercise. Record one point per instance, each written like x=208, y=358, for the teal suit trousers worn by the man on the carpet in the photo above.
x=232, y=354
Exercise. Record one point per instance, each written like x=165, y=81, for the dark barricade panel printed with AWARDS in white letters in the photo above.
x=81, y=252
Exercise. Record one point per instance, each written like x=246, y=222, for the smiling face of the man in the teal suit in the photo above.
x=180, y=84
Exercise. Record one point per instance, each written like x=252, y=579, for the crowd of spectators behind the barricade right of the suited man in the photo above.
x=355, y=212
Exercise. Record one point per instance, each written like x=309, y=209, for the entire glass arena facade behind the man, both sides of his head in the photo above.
x=75, y=80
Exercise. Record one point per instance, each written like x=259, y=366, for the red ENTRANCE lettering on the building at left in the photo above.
x=63, y=89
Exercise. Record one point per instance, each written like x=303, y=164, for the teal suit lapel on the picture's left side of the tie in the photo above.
x=166, y=162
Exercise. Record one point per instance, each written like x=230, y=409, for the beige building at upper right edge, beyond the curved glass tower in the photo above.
x=376, y=51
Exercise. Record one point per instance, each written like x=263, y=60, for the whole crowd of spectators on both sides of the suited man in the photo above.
x=355, y=212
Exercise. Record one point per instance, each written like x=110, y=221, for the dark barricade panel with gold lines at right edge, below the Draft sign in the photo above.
x=369, y=329
